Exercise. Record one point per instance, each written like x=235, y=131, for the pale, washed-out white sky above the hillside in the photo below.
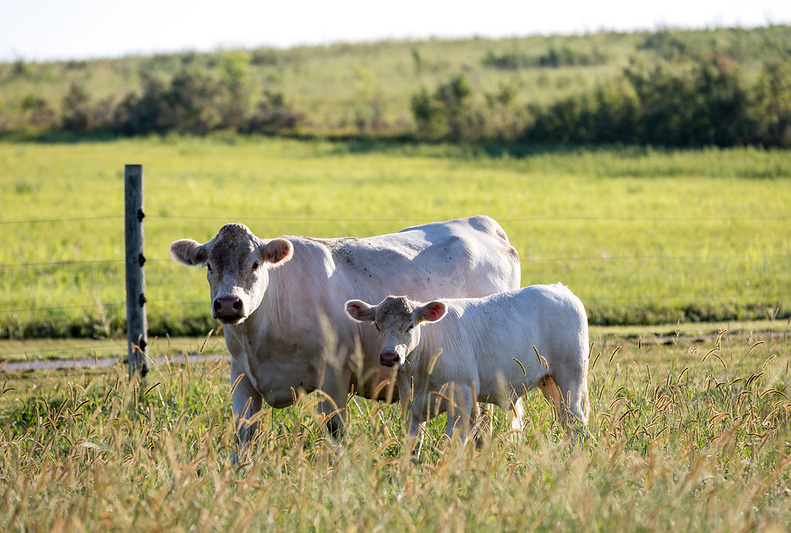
x=43, y=30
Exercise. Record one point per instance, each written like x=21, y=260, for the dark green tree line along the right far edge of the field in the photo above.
x=693, y=102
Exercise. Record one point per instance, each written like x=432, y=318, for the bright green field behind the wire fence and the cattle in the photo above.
x=642, y=236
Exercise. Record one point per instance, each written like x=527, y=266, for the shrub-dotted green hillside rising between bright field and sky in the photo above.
x=495, y=89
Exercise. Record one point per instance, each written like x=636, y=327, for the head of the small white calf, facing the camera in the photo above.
x=397, y=319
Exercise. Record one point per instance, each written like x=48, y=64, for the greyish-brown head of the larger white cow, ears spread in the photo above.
x=237, y=264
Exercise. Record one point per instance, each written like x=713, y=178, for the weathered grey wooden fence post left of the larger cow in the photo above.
x=137, y=325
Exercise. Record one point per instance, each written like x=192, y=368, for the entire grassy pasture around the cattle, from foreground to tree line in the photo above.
x=690, y=421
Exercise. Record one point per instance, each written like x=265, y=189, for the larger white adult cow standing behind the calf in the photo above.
x=281, y=301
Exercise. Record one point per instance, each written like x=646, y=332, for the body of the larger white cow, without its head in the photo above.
x=460, y=258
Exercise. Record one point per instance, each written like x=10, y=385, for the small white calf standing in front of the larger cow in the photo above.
x=453, y=353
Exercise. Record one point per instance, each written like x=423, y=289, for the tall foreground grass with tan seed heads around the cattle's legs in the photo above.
x=684, y=434
